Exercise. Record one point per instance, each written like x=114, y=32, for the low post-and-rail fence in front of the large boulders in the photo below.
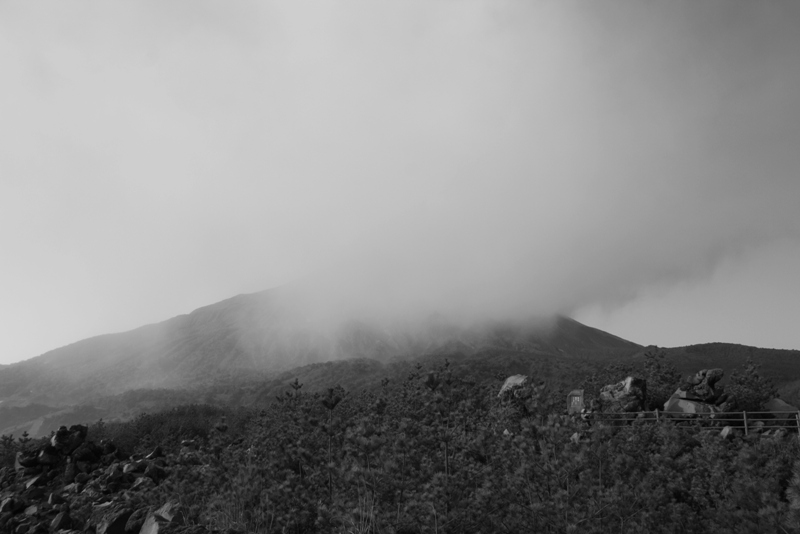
x=747, y=421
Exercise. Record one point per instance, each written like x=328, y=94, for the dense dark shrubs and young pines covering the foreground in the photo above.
x=439, y=454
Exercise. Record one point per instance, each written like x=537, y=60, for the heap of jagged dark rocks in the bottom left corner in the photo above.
x=71, y=485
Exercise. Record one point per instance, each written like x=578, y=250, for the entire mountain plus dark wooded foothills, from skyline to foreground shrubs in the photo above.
x=246, y=349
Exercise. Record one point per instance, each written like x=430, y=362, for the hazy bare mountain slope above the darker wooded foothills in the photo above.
x=264, y=333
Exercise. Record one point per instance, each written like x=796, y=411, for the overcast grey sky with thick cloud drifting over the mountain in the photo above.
x=633, y=164
